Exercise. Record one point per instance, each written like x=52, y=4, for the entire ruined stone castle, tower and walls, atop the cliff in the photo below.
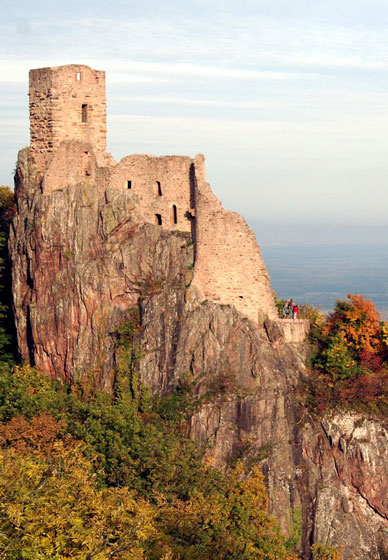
x=68, y=145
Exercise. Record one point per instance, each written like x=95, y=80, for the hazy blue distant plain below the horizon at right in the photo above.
x=320, y=275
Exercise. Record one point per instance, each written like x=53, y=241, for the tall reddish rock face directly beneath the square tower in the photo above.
x=80, y=262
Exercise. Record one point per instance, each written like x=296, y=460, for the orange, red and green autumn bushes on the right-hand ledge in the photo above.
x=350, y=363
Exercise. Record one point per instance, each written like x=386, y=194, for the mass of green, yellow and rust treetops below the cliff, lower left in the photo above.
x=114, y=477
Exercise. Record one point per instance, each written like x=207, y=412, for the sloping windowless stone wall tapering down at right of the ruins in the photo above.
x=229, y=268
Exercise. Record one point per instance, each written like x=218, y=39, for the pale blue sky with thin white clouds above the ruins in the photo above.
x=288, y=100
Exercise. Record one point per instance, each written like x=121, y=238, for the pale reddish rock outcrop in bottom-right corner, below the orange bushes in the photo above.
x=346, y=460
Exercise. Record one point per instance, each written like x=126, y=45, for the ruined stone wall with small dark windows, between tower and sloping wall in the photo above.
x=164, y=186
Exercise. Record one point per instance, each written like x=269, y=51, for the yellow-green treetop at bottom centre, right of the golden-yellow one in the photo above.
x=233, y=524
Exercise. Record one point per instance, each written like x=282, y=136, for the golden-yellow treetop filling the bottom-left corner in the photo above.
x=51, y=507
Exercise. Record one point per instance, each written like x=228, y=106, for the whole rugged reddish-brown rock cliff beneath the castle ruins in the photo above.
x=83, y=260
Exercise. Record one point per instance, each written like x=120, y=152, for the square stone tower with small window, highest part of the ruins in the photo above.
x=66, y=103
